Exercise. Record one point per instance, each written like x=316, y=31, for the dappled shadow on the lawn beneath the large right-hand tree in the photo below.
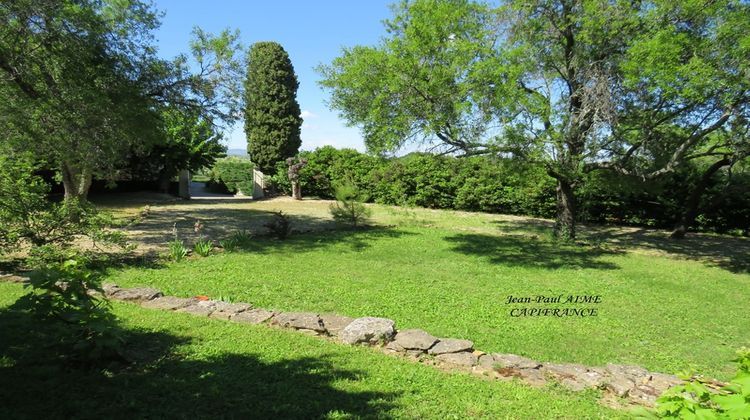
x=528, y=251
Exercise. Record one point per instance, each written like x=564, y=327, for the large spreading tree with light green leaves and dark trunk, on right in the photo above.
x=547, y=82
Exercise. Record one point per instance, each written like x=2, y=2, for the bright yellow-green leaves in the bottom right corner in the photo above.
x=695, y=400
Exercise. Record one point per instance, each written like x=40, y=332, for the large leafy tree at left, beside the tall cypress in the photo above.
x=88, y=102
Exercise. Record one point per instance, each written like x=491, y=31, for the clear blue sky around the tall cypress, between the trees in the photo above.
x=313, y=32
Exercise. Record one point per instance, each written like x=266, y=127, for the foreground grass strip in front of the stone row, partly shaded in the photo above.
x=190, y=367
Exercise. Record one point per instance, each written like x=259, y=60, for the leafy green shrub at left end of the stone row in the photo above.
x=63, y=291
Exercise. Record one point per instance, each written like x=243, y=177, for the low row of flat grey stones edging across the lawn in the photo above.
x=623, y=383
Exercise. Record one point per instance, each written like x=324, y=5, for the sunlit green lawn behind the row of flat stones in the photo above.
x=450, y=273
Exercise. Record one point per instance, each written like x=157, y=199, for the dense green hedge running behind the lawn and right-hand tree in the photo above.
x=510, y=186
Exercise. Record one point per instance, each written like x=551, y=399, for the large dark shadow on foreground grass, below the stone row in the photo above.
x=35, y=383
